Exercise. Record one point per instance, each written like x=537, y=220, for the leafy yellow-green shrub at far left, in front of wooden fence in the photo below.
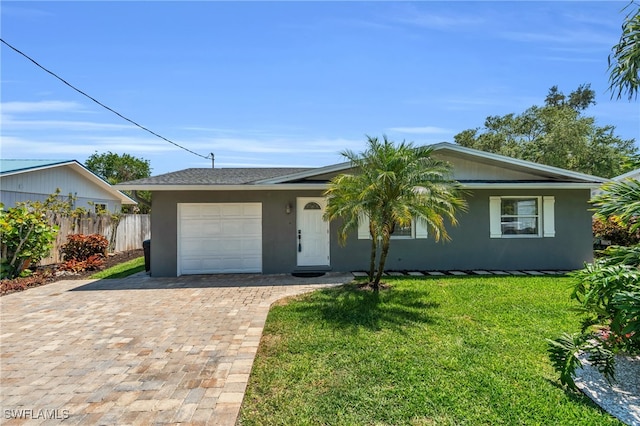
x=27, y=237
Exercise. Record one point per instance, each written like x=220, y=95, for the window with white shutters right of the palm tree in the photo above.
x=521, y=216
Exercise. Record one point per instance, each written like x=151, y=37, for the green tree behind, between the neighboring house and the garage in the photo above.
x=115, y=168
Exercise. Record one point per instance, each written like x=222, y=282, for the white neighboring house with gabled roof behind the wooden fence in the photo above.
x=35, y=180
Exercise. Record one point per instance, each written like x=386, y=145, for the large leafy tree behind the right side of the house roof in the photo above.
x=556, y=134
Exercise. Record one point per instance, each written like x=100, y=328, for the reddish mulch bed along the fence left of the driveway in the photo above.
x=49, y=274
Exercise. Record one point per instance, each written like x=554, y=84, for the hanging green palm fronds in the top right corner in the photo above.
x=624, y=61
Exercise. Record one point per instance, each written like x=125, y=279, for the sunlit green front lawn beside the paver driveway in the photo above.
x=454, y=351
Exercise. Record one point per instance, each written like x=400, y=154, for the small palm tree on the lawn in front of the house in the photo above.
x=393, y=186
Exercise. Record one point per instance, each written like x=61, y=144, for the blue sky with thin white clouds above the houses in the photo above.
x=264, y=84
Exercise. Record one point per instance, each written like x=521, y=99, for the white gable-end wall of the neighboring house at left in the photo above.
x=39, y=184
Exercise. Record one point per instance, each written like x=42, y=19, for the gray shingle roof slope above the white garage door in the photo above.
x=221, y=176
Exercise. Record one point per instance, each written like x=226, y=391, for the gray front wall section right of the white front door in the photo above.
x=472, y=248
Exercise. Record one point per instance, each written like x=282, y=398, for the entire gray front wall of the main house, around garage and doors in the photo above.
x=470, y=247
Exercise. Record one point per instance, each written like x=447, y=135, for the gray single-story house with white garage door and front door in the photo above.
x=521, y=215
